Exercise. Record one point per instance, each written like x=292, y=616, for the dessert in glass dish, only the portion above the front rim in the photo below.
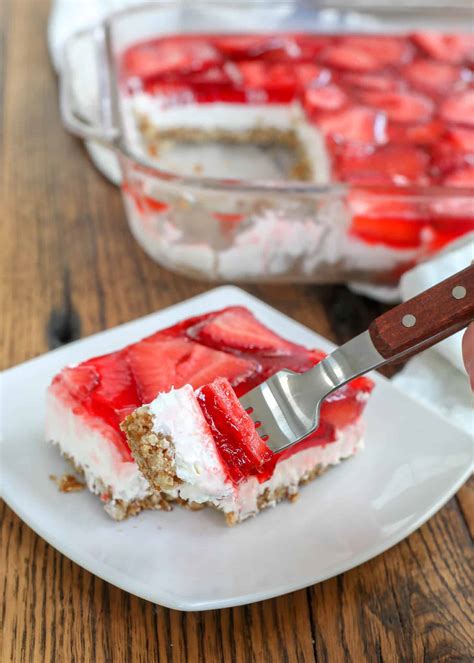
x=365, y=109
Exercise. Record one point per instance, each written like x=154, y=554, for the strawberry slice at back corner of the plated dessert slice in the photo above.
x=236, y=328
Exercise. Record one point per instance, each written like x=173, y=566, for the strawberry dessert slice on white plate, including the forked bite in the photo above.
x=160, y=422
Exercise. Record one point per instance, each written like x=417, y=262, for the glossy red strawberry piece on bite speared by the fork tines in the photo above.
x=241, y=448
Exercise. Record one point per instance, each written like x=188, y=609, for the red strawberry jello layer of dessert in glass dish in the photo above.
x=395, y=110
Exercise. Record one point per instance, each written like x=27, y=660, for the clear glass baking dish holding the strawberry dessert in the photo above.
x=251, y=227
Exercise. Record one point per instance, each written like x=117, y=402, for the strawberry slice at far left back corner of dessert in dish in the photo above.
x=157, y=57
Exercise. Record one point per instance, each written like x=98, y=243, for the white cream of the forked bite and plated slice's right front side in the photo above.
x=177, y=415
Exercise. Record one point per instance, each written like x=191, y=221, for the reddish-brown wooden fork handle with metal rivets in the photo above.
x=426, y=319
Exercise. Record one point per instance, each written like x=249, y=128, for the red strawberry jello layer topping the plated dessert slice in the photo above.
x=231, y=344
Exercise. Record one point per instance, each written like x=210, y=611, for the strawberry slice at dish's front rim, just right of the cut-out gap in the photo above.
x=397, y=164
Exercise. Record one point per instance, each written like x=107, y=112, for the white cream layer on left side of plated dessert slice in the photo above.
x=93, y=452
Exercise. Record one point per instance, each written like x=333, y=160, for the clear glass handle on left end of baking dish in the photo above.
x=100, y=127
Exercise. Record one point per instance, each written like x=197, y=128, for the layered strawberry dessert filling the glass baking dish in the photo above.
x=387, y=115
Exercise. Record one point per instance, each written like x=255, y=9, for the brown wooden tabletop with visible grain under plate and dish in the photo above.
x=70, y=268
